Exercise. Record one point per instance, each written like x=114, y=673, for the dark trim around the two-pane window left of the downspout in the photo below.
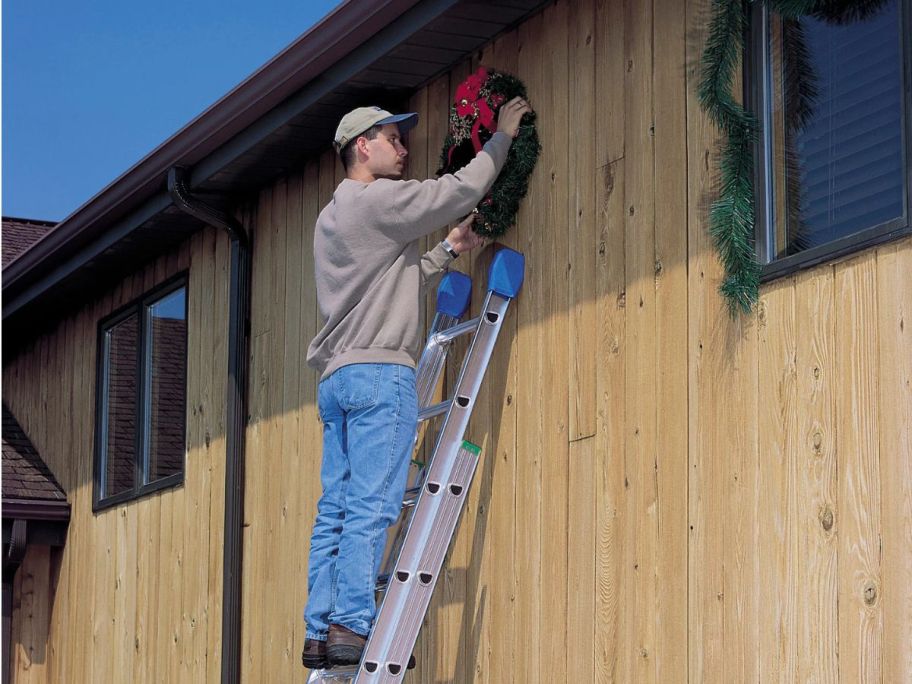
x=136, y=306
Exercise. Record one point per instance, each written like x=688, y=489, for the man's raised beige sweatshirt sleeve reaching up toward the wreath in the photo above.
x=411, y=209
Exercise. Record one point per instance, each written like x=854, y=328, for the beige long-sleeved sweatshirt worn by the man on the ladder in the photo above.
x=368, y=268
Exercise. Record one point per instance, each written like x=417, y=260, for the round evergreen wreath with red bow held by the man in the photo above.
x=473, y=120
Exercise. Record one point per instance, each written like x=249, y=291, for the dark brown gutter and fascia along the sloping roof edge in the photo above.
x=325, y=44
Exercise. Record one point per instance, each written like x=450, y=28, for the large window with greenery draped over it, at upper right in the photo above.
x=832, y=96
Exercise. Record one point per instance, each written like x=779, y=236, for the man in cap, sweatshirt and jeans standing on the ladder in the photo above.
x=369, y=274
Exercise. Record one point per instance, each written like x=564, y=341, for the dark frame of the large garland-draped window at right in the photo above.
x=758, y=96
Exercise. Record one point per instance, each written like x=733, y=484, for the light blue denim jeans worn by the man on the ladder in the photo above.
x=370, y=414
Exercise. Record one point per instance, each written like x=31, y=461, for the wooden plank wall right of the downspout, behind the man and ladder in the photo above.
x=666, y=494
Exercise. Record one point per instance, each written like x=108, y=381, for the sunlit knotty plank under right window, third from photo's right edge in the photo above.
x=816, y=456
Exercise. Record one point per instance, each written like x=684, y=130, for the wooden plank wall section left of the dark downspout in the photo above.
x=138, y=594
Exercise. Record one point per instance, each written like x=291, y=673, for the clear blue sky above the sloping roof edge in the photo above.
x=90, y=87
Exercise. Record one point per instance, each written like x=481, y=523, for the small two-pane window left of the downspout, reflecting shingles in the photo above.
x=142, y=396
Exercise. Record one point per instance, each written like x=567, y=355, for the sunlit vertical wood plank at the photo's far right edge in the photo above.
x=894, y=306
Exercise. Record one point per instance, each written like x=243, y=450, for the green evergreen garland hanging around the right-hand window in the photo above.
x=731, y=219
